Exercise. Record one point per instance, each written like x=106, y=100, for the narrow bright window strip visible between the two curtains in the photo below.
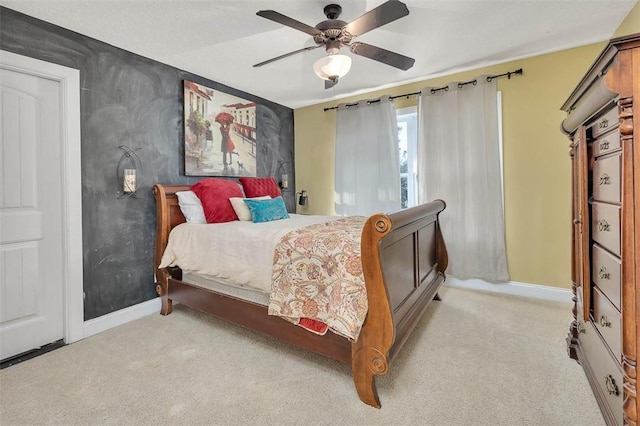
x=408, y=147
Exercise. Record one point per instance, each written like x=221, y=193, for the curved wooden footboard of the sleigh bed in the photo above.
x=404, y=259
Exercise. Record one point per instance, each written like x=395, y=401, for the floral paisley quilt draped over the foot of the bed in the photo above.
x=318, y=277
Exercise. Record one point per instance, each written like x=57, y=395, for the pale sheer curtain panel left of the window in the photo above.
x=367, y=171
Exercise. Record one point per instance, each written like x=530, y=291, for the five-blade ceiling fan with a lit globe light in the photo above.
x=334, y=34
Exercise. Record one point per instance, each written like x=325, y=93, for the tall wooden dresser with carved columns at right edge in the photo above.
x=601, y=114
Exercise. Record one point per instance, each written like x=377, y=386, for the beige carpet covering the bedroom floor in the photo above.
x=475, y=359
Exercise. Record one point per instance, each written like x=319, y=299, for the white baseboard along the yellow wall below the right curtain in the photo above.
x=515, y=288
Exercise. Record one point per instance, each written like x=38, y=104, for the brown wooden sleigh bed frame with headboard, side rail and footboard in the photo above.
x=404, y=259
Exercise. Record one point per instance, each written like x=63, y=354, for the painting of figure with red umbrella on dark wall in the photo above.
x=219, y=133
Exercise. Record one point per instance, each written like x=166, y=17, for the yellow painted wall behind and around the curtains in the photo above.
x=536, y=162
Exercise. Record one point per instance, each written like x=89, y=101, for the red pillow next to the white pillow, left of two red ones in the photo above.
x=214, y=195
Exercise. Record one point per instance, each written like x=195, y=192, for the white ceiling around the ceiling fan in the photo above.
x=222, y=39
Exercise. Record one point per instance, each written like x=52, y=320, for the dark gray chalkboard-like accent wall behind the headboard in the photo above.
x=130, y=100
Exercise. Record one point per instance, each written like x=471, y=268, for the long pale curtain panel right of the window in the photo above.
x=459, y=162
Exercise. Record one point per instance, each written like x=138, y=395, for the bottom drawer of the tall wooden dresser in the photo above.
x=606, y=376
